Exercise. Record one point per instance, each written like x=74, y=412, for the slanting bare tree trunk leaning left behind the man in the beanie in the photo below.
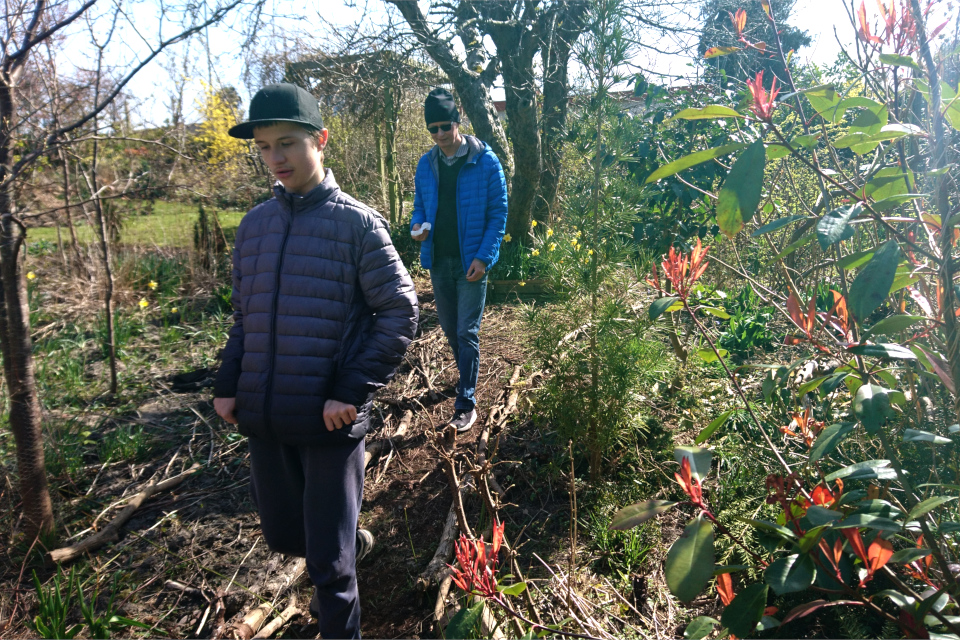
x=472, y=87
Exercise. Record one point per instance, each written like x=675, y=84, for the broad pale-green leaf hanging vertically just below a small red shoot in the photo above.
x=690, y=560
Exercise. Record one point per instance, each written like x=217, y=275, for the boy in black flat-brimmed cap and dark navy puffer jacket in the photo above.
x=324, y=313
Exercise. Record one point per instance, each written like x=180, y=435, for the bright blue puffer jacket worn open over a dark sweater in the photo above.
x=481, y=203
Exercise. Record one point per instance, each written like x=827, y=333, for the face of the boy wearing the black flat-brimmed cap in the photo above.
x=293, y=154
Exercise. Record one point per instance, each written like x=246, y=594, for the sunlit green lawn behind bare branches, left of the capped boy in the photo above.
x=171, y=225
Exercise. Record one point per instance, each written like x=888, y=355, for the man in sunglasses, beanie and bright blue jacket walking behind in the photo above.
x=460, y=215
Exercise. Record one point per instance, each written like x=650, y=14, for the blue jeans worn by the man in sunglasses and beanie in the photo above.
x=460, y=308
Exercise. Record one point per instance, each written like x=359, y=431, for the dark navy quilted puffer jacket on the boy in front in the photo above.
x=324, y=309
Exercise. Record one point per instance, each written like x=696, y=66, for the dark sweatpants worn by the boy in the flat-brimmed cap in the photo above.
x=309, y=500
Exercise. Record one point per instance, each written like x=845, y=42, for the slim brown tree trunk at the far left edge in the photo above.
x=25, y=417
